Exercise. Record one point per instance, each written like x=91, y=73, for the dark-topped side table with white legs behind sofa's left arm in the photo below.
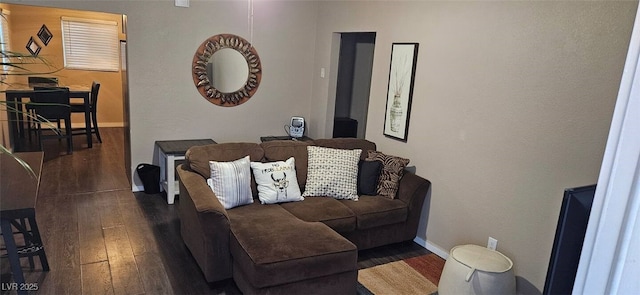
x=170, y=151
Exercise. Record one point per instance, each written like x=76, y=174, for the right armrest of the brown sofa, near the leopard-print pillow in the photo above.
x=413, y=190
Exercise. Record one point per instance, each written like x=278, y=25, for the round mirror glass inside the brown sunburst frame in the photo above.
x=228, y=70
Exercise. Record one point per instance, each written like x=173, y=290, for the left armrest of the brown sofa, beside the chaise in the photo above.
x=204, y=225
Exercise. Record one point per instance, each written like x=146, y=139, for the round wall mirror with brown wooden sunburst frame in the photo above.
x=226, y=70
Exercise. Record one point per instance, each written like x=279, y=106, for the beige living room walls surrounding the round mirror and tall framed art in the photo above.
x=511, y=105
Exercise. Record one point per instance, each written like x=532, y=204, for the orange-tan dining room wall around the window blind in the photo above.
x=25, y=22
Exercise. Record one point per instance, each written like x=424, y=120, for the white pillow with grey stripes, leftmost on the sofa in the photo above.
x=231, y=182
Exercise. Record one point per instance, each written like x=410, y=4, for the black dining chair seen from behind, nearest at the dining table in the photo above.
x=52, y=104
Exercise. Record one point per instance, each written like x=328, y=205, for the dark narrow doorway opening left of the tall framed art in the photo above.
x=354, y=83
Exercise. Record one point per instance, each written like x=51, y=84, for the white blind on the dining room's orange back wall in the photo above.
x=90, y=44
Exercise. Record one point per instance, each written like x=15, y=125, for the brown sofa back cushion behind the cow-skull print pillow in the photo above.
x=281, y=150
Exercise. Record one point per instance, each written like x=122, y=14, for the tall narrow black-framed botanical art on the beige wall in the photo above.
x=400, y=90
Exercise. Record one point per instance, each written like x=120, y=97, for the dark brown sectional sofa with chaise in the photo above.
x=305, y=247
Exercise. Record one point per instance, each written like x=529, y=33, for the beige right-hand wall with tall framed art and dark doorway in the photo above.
x=512, y=104
